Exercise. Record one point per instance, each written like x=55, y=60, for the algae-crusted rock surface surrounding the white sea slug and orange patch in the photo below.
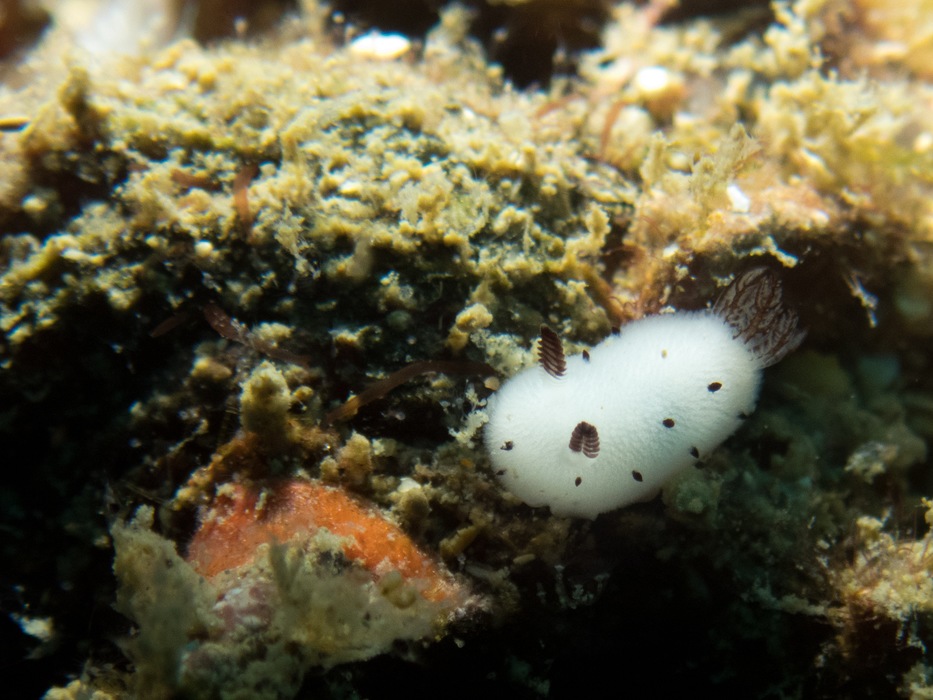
x=207, y=249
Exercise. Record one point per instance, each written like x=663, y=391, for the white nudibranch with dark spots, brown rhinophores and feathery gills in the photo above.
x=597, y=431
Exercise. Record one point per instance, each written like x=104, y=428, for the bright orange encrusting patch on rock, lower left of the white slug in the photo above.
x=240, y=521
